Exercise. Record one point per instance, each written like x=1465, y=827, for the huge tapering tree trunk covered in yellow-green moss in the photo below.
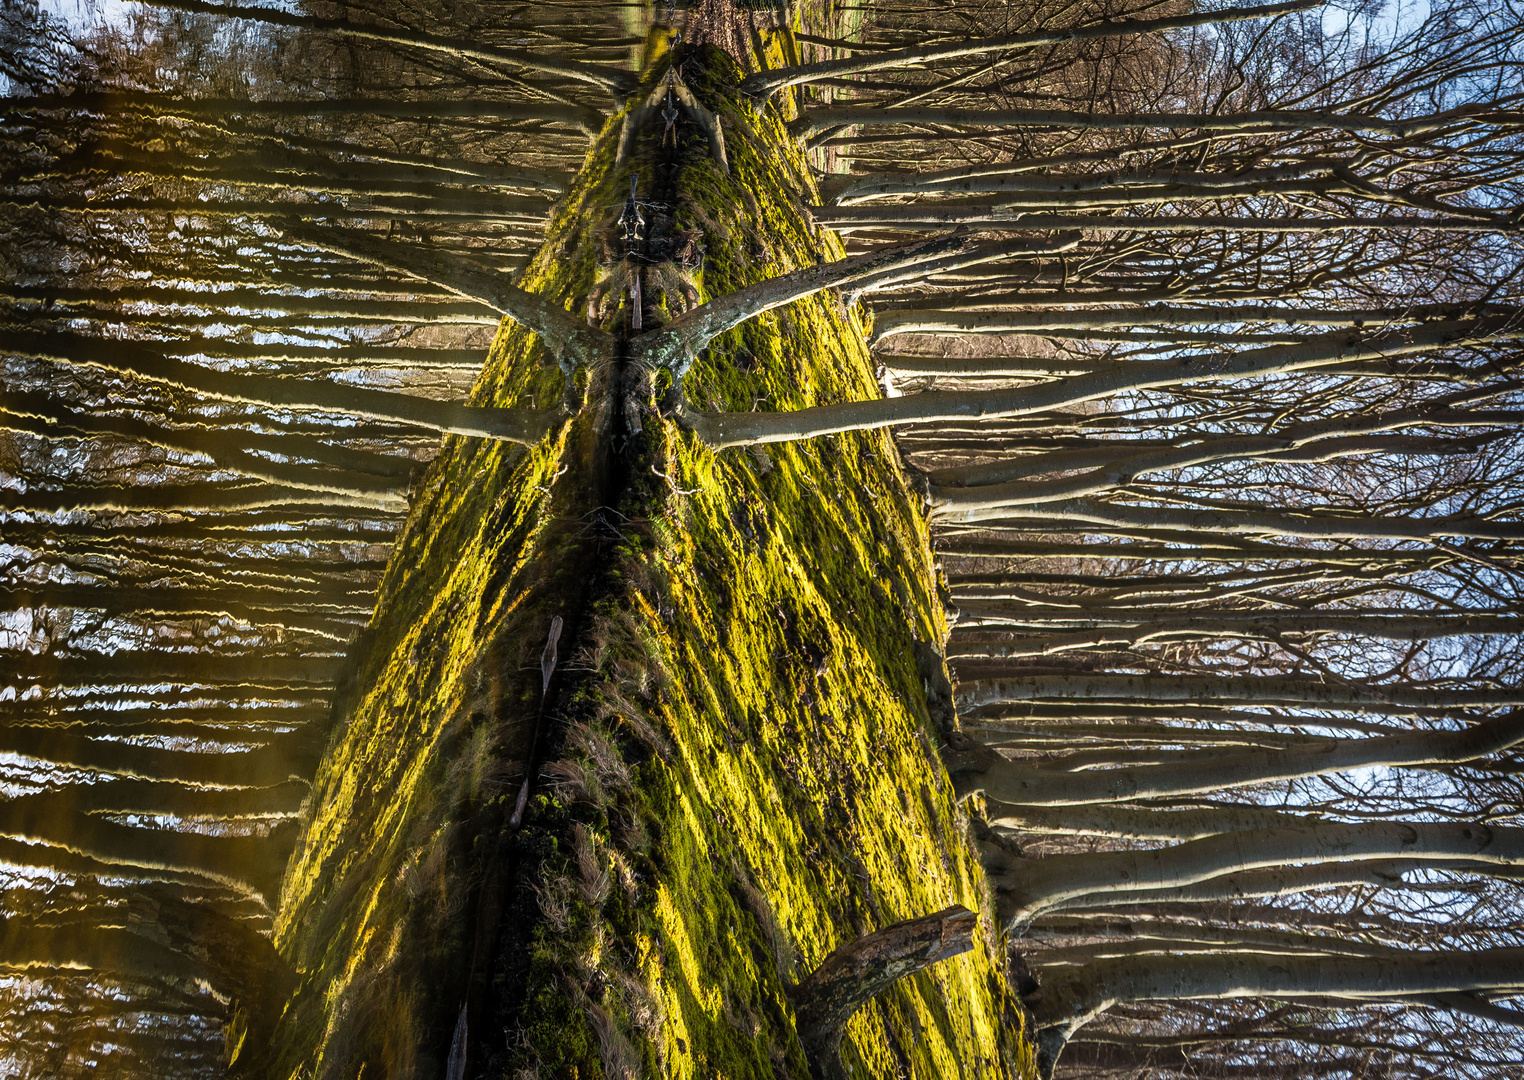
x=616, y=863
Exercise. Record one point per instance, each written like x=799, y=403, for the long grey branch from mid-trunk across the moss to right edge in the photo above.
x=720, y=430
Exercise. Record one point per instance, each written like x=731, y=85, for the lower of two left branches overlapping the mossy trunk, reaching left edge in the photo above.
x=132, y=359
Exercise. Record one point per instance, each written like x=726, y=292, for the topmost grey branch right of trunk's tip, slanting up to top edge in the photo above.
x=764, y=85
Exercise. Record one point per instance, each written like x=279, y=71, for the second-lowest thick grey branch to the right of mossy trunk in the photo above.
x=1045, y=884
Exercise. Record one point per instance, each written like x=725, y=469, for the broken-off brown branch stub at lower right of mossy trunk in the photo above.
x=863, y=970
